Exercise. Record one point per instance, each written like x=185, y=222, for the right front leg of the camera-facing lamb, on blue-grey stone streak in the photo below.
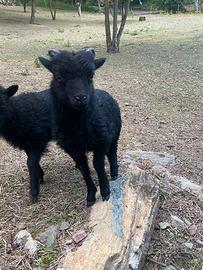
x=98, y=162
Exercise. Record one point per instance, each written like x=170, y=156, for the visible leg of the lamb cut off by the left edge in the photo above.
x=35, y=173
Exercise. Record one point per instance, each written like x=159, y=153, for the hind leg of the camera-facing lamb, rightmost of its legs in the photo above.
x=112, y=157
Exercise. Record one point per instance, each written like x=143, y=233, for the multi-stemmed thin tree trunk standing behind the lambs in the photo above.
x=113, y=41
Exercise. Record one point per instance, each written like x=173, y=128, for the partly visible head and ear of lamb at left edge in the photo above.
x=5, y=94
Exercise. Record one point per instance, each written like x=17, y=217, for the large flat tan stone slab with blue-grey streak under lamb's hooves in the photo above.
x=120, y=229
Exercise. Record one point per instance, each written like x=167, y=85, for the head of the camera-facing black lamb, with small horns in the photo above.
x=73, y=76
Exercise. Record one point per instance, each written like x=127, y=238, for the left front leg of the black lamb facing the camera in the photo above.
x=82, y=165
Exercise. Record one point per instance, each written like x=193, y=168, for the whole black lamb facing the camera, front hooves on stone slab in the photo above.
x=84, y=119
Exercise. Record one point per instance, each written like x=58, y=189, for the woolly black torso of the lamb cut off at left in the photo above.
x=29, y=121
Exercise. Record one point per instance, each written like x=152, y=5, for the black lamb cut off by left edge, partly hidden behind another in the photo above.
x=25, y=123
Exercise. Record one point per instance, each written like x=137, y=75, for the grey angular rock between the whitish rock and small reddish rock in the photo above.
x=48, y=237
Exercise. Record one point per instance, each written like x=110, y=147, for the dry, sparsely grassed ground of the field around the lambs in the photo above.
x=157, y=79
